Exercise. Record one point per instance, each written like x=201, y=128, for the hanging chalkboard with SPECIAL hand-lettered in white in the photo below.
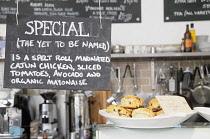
x=54, y=52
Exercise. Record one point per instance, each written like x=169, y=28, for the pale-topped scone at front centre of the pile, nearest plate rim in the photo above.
x=142, y=113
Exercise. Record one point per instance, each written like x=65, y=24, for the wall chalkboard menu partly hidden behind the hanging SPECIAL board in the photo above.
x=119, y=11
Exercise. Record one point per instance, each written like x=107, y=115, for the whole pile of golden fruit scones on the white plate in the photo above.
x=132, y=106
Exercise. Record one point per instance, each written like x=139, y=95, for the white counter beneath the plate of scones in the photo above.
x=187, y=130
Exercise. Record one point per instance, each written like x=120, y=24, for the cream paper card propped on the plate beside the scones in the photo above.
x=173, y=104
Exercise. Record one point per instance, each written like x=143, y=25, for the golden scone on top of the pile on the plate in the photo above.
x=131, y=101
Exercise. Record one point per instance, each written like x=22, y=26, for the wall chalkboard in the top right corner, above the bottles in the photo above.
x=186, y=10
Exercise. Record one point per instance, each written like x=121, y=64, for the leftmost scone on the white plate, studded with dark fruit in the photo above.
x=118, y=111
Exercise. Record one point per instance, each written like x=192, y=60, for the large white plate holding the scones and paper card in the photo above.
x=161, y=121
